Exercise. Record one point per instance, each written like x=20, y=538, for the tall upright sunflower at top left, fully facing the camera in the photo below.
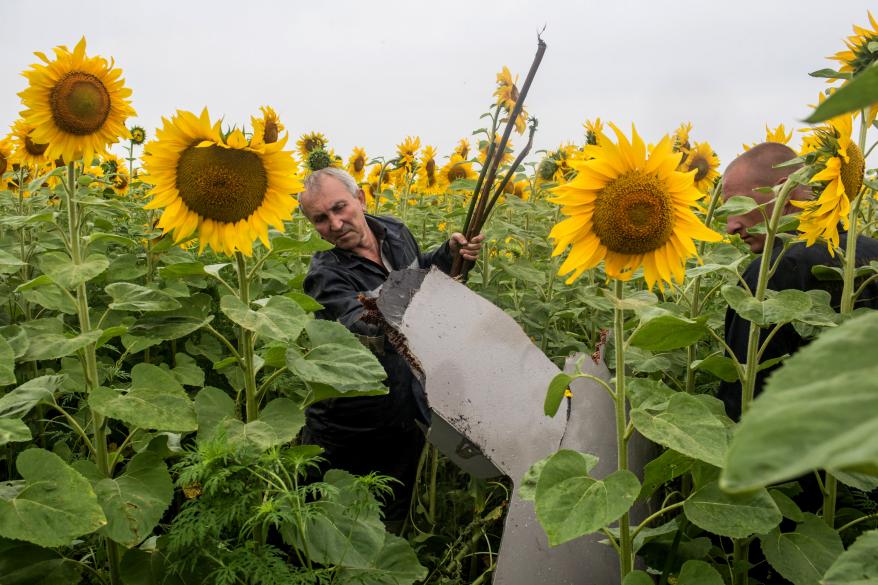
x=77, y=104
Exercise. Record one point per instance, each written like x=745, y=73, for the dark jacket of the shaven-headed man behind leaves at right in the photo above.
x=794, y=272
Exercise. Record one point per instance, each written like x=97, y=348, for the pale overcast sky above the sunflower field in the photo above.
x=370, y=73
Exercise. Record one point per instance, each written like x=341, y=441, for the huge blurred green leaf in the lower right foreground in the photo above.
x=817, y=411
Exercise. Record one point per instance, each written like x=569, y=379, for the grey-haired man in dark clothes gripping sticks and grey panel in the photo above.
x=374, y=433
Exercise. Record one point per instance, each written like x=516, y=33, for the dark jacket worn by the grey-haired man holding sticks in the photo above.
x=334, y=279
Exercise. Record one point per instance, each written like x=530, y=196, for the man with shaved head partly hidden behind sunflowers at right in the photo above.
x=752, y=170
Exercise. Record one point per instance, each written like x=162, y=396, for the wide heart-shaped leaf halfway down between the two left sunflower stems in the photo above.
x=155, y=401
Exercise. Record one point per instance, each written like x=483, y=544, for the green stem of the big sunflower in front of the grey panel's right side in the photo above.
x=626, y=556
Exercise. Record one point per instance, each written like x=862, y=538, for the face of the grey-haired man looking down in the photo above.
x=337, y=215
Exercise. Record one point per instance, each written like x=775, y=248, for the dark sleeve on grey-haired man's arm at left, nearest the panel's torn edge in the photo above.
x=338, y=295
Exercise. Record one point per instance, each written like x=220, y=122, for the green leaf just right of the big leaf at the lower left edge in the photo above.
x=135, y=501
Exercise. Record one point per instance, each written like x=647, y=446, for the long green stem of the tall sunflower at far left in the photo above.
x=99, y=428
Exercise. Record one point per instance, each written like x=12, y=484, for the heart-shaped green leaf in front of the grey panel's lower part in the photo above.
x=570, y=503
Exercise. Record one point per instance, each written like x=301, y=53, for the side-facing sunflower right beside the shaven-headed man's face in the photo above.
x=841, y=177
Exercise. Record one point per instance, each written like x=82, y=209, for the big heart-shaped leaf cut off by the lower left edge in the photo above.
x=55, y=504
